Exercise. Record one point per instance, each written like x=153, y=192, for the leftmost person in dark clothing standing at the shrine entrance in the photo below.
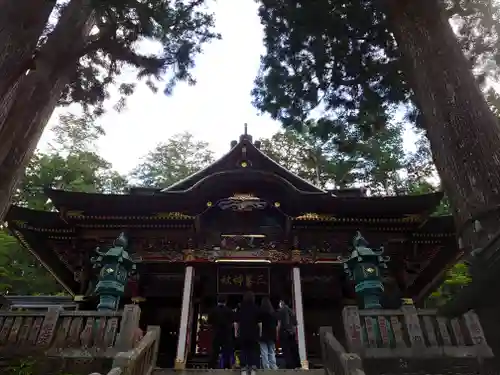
x=221, y=319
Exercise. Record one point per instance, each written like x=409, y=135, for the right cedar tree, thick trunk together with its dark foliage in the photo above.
x=358, y=60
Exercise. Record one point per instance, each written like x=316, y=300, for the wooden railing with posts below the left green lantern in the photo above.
x=70, y=334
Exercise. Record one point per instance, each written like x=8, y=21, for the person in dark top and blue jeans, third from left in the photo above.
x=269, y=332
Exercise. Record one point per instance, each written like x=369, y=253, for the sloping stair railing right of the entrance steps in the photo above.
x=336, y=360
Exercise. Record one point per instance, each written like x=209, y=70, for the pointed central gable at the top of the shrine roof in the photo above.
x=245, y=152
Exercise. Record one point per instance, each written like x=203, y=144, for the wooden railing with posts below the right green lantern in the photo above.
x=411, y=332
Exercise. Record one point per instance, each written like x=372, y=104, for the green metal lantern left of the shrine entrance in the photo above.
x=116, y=267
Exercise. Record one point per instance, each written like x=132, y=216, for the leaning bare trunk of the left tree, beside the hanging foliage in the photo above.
x=37, y=95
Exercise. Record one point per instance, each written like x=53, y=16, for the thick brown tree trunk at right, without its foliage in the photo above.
x=463, y=132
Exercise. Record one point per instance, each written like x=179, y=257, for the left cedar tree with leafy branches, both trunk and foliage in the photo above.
x=92, y=41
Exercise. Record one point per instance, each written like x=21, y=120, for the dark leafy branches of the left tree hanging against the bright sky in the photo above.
x=173, y=31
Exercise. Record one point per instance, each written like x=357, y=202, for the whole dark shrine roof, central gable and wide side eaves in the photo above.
x=244, y=169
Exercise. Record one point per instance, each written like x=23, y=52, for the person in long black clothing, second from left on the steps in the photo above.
x=248, y=332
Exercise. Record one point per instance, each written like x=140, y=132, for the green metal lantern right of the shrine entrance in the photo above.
x=364, y=266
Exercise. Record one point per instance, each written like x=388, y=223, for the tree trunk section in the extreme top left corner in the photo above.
x=21, y=25
